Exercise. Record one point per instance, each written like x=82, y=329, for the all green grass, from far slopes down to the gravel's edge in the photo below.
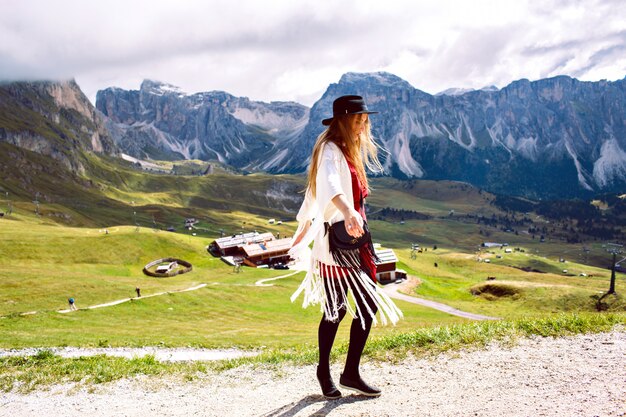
x=65, y=251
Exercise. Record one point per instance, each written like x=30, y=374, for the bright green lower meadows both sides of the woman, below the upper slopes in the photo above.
x=43, y=265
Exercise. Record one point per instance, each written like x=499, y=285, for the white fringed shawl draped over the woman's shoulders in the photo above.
x=333, y=178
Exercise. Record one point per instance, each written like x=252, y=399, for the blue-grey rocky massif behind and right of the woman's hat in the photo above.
x=551, y=138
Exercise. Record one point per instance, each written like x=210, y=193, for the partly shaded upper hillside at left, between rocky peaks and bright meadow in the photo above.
x=113, y=193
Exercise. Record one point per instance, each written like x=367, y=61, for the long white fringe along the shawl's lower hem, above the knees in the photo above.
x=363, y=287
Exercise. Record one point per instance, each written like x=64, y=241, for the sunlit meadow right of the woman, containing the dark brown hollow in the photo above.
x=460, y=280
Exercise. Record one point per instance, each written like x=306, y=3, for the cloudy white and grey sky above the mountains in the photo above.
x=275, y=50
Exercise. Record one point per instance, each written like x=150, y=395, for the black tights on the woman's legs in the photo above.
x=358, y=336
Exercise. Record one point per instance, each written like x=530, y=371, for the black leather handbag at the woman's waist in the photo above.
x=344, y=248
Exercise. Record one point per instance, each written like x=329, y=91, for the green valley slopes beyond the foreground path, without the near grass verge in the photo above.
x=55, y=245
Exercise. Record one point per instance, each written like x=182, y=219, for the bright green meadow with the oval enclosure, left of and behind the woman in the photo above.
x=44, y=265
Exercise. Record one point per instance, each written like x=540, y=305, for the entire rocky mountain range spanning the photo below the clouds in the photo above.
x=551, y=138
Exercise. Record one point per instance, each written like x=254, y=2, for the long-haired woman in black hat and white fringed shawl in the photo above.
x=337, y=187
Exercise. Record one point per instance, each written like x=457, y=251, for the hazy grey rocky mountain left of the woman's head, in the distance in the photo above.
x=159, y=121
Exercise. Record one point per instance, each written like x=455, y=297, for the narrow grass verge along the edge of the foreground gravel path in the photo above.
x=44, y=369
